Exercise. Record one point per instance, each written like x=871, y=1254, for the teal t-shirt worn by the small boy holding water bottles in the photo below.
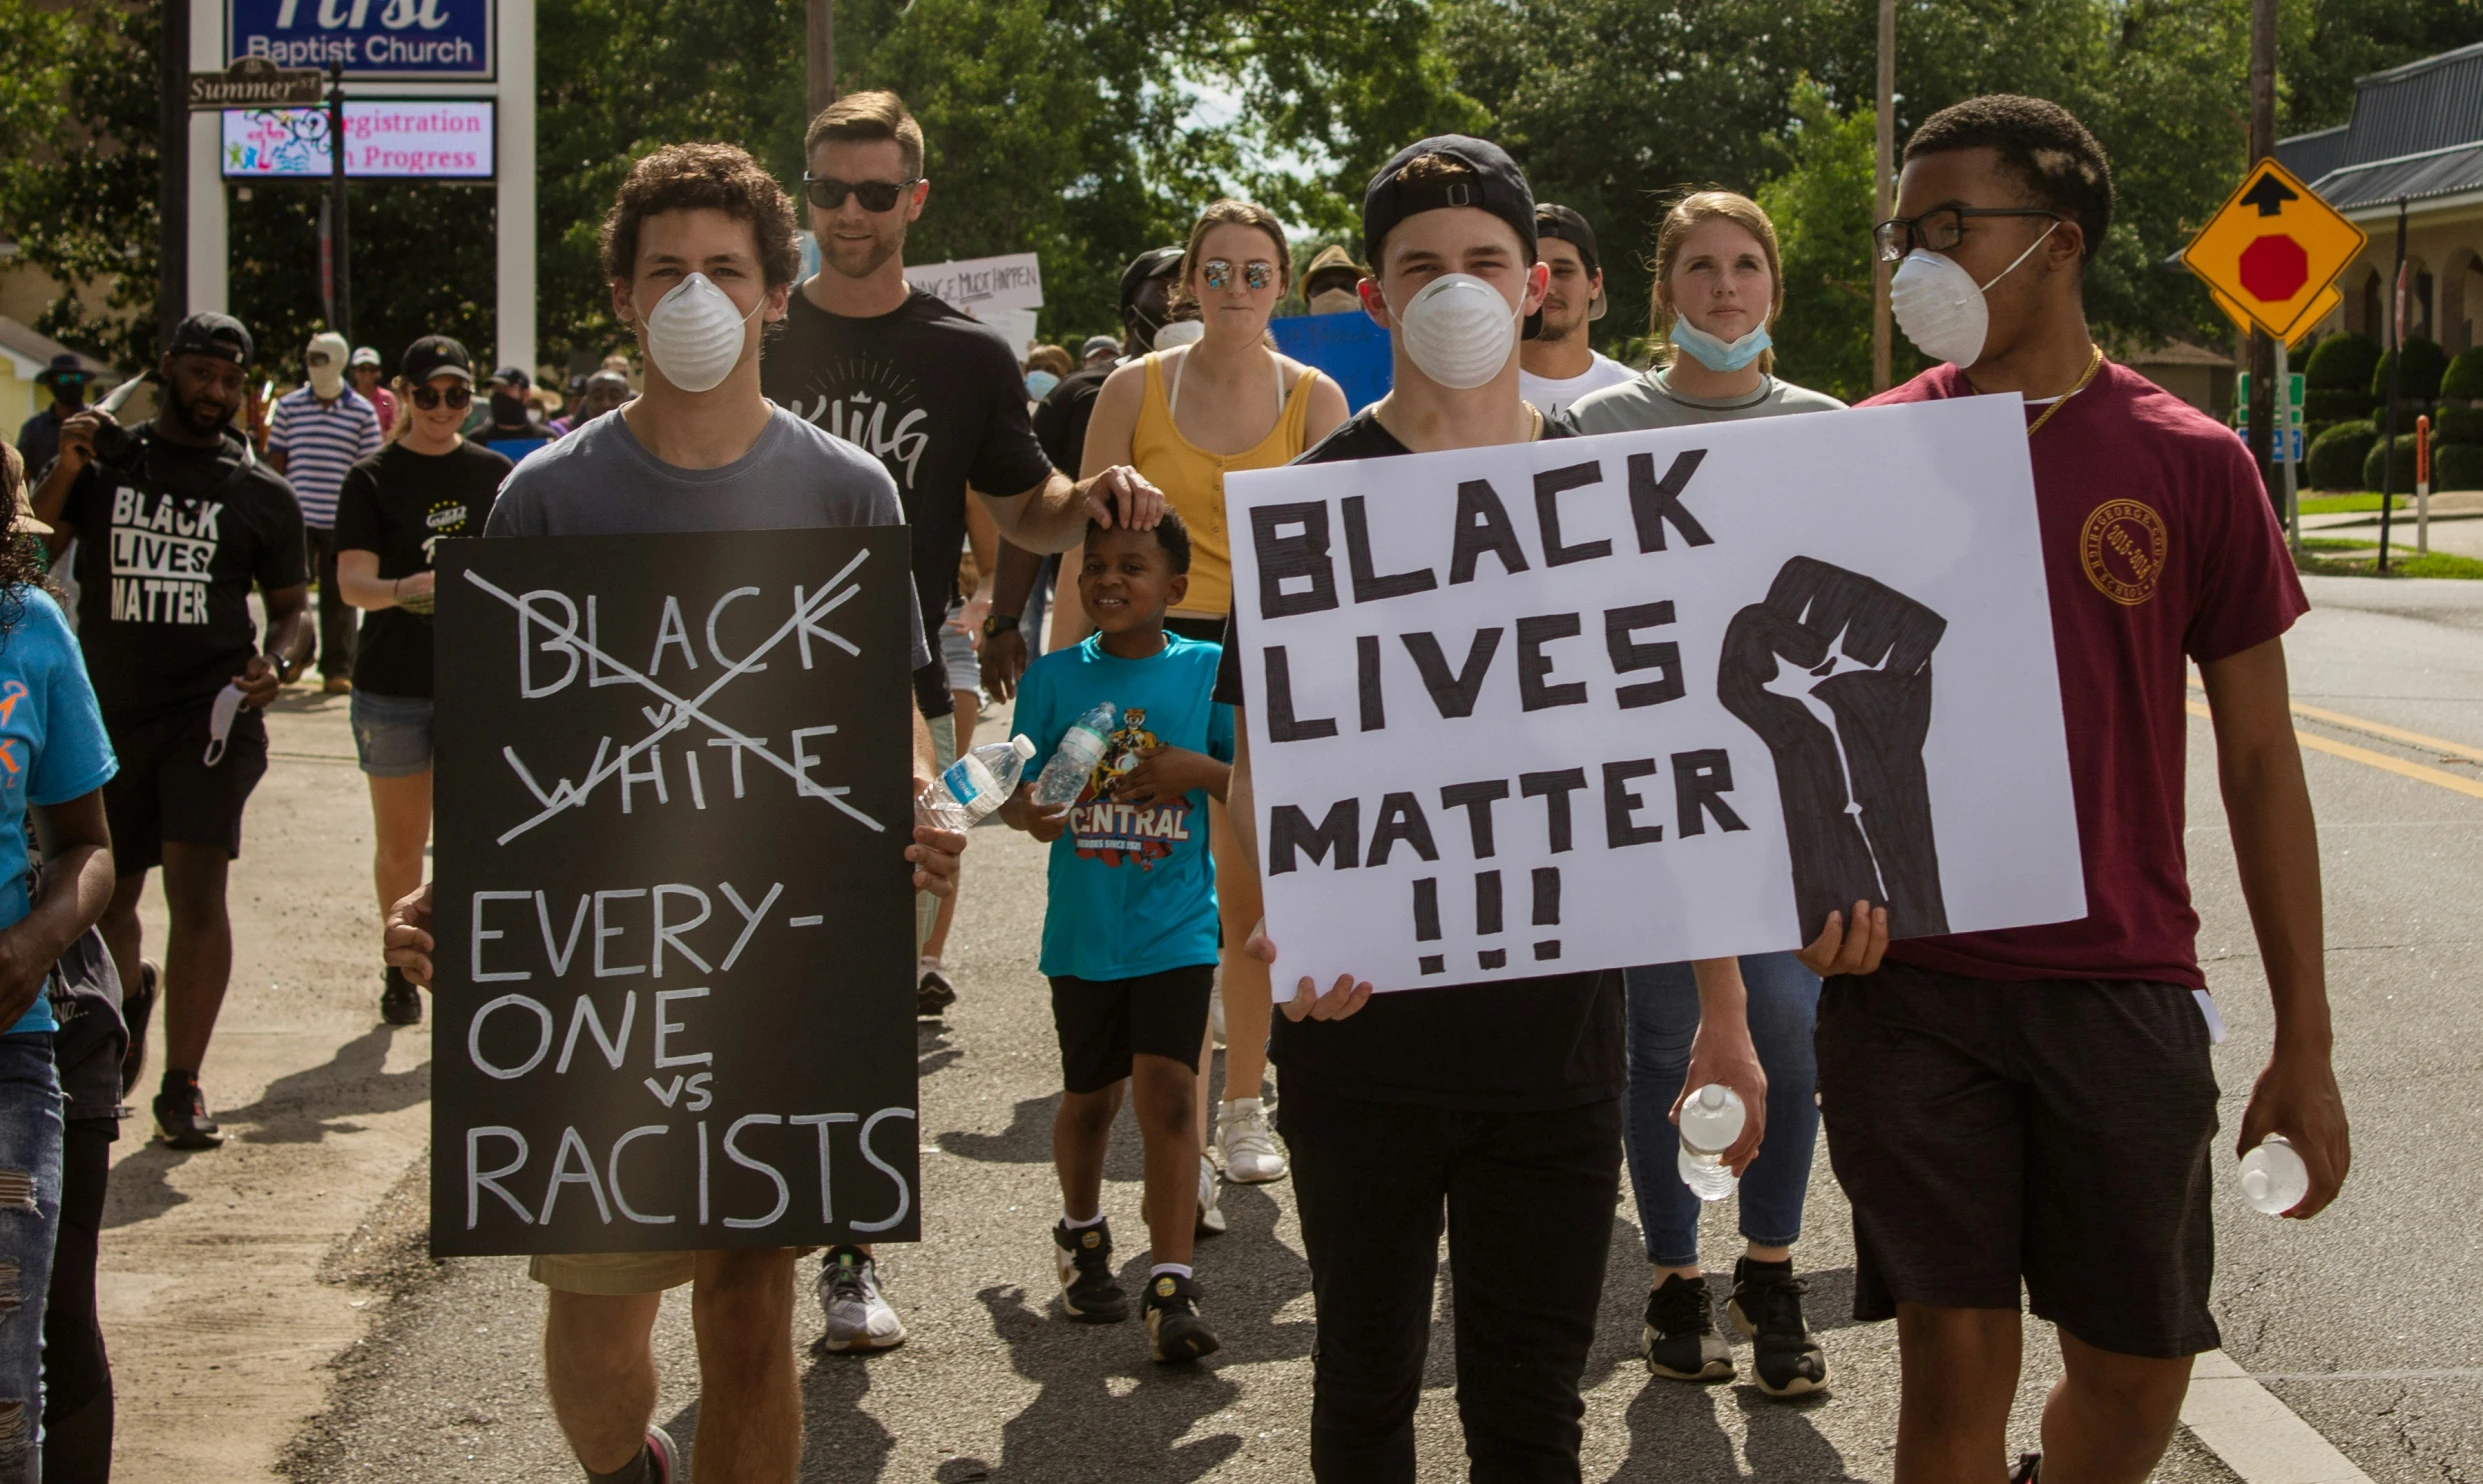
x=1133, y=887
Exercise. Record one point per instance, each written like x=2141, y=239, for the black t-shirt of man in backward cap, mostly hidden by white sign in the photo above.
x=1501, y=1046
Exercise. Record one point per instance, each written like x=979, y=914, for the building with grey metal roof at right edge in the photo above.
x=2417, y=140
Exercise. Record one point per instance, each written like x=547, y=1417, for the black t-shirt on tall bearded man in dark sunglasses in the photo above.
x=940, y=401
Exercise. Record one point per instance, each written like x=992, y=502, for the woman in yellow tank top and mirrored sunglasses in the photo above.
x=1186, y=421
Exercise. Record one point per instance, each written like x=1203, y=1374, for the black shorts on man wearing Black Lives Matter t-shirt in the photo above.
x=170, y=795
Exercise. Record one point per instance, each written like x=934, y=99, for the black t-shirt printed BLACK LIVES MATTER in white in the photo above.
x=165, y=565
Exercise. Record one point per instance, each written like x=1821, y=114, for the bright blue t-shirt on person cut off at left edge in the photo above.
x=53, y=748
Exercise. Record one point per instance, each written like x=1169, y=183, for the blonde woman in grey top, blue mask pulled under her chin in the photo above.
x=1719, y=289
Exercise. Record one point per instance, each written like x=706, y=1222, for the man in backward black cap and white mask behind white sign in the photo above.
x=1496, y=1103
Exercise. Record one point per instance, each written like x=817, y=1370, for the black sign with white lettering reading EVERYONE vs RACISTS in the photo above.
x=674, y=912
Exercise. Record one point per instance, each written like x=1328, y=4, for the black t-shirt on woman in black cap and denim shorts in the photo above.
x=401, y=505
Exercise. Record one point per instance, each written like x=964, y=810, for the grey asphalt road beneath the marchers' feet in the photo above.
x=2358, y=1321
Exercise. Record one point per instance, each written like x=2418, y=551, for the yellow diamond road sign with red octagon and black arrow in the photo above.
x=2273, y=249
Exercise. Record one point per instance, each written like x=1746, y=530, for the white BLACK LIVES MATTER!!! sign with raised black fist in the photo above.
x=1657, y=696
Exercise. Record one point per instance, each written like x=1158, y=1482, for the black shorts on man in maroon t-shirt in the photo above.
x=2045, y=1130
